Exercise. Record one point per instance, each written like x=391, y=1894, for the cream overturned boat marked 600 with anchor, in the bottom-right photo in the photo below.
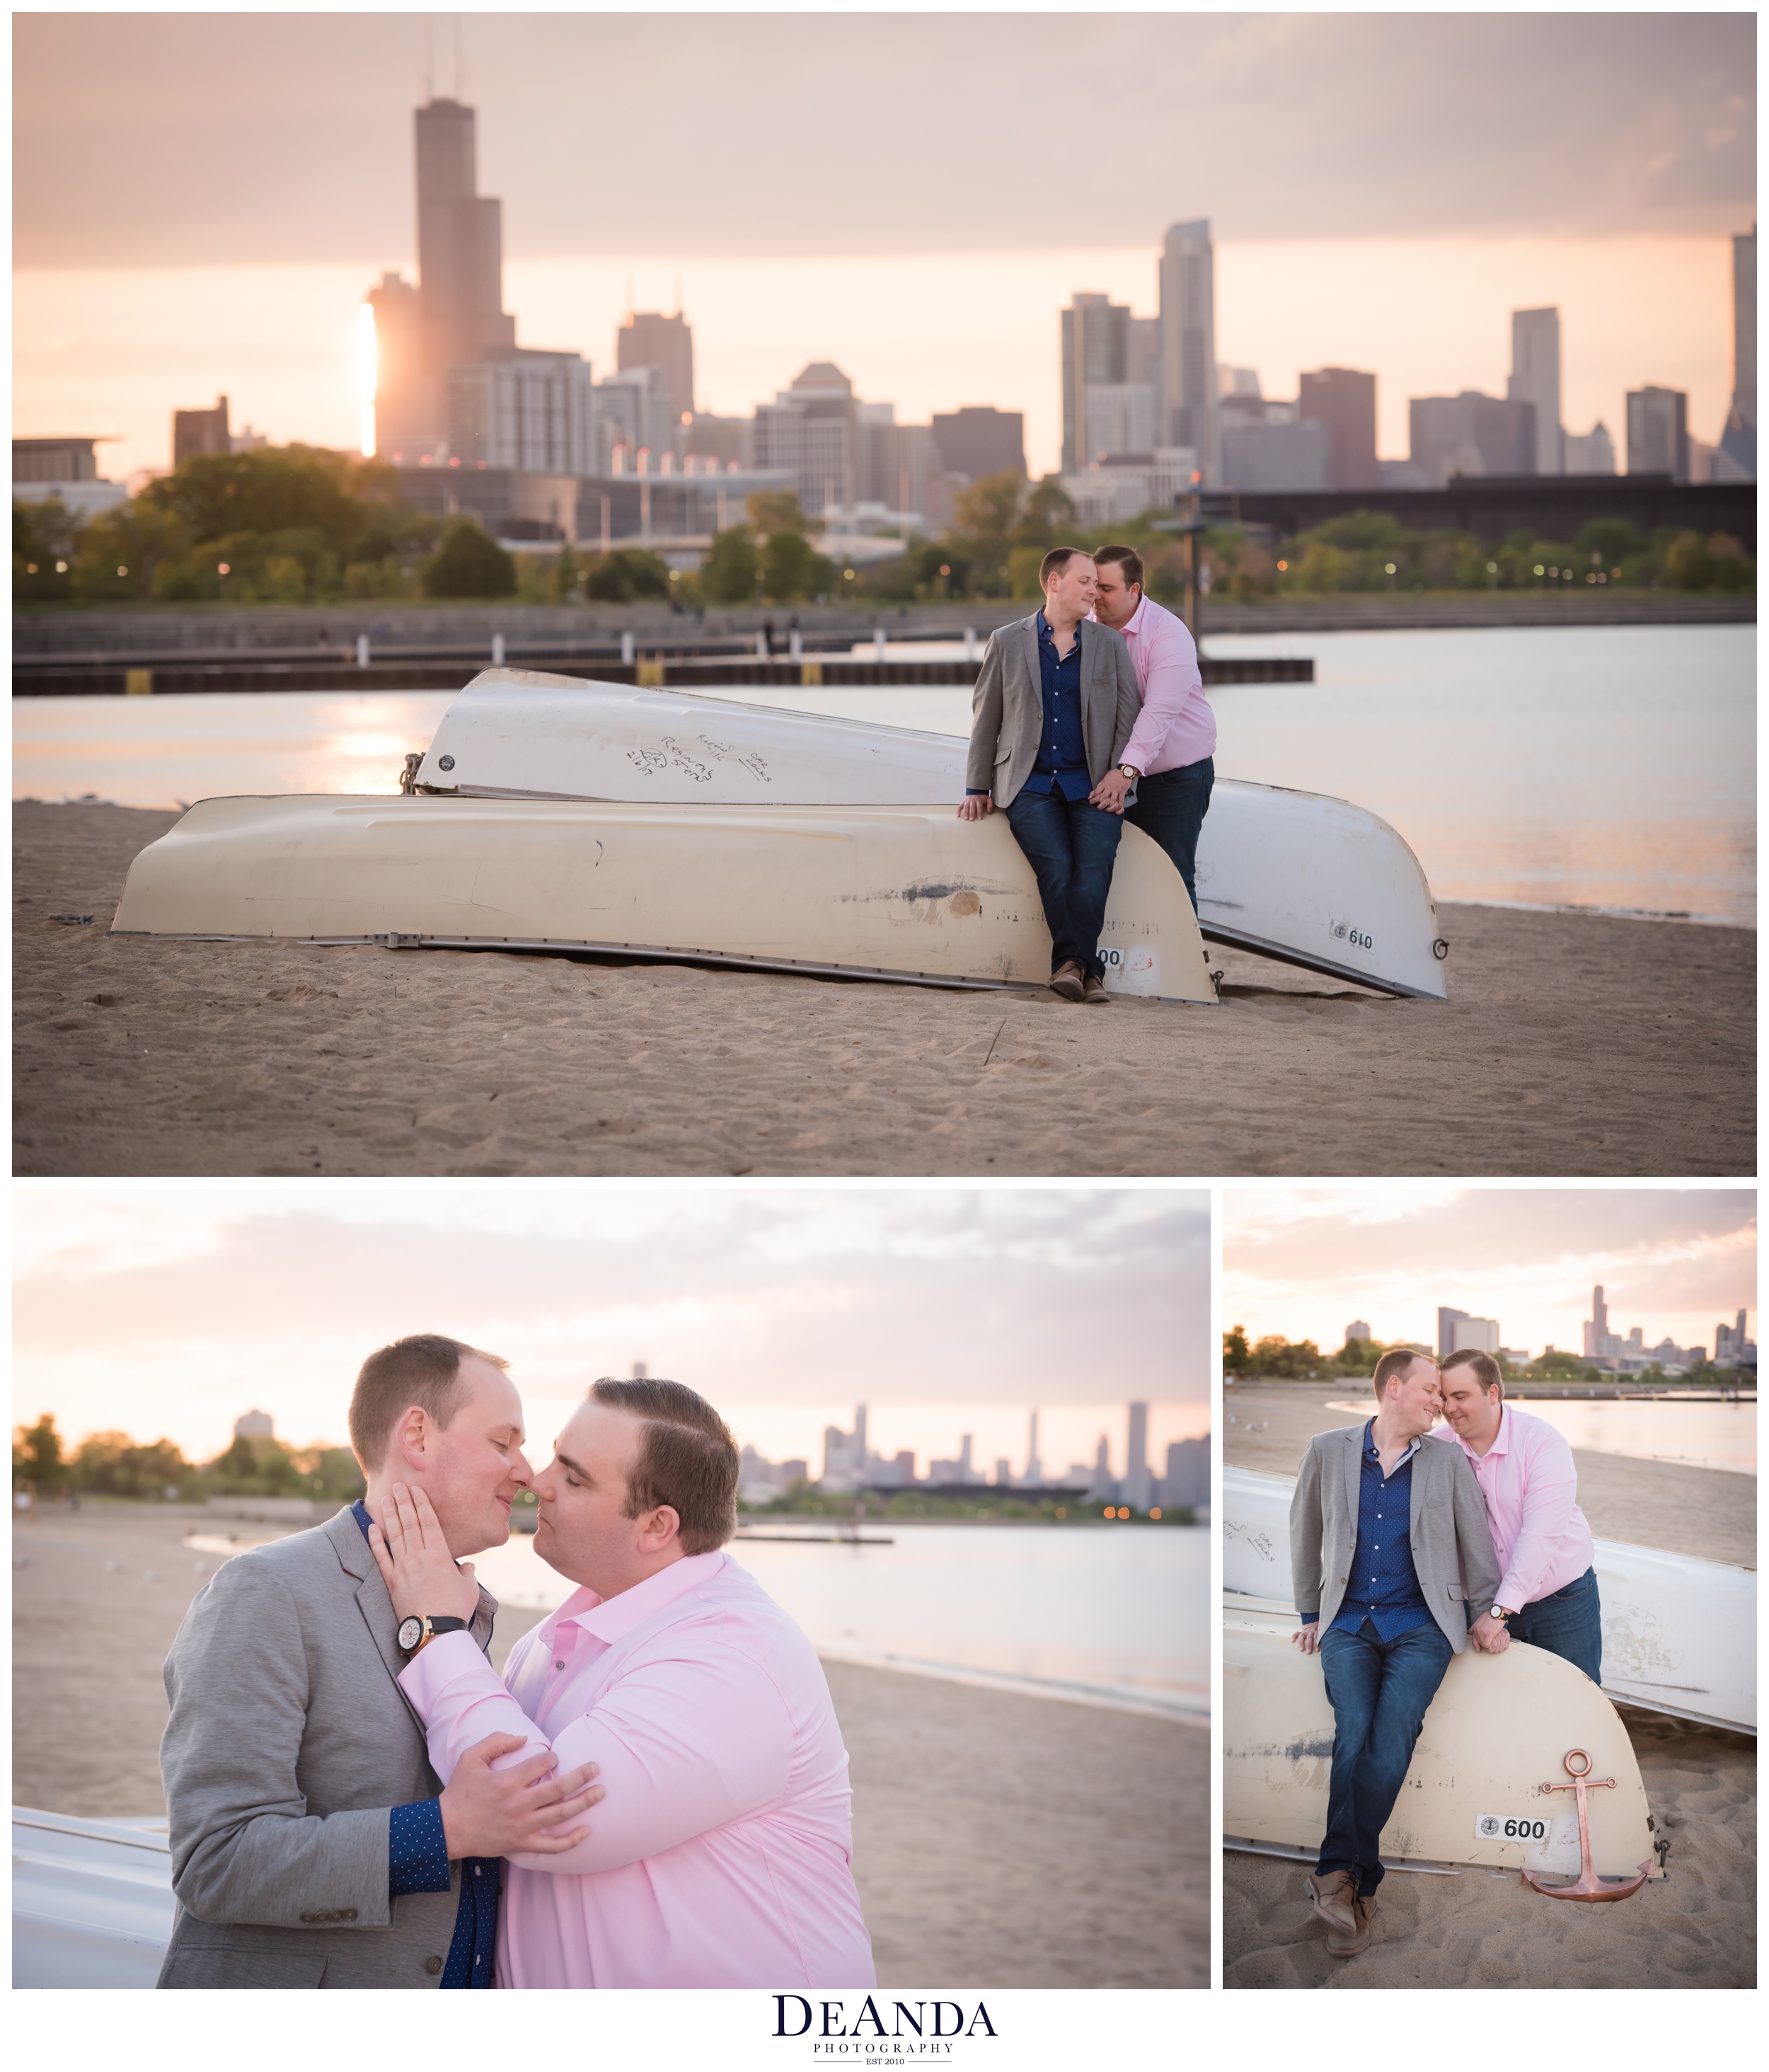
x=1499, y=1731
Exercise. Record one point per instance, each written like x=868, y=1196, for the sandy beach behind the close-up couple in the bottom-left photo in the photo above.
x=997, y=1839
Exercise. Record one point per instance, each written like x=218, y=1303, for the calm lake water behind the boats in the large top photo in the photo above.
x=1598, y=768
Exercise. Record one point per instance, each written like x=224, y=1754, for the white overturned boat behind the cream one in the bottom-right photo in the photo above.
x=1679, y=1634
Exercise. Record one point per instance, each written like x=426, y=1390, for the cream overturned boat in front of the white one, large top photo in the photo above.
x=867, y=892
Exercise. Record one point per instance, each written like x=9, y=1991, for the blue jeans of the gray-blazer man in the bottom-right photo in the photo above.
x=1381, y=1694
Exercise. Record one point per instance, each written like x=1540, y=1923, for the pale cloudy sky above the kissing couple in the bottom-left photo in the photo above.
x=171, y=1311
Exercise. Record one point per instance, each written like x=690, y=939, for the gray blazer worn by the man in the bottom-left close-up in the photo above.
x=287, y=1752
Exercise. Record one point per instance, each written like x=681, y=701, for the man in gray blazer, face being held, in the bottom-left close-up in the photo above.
x=312, y=1841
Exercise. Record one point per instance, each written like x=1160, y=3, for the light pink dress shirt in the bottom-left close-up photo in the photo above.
x=722, y=1851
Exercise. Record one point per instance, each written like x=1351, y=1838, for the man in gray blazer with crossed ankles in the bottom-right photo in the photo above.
x=1389, y=1547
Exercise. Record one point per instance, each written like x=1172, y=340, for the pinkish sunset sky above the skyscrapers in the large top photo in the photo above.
x=888, y=192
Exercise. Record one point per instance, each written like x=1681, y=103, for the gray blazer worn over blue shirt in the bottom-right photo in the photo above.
x=1453, y=1549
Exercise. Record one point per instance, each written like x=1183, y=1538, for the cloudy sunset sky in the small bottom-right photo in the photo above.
x=1304, y=1263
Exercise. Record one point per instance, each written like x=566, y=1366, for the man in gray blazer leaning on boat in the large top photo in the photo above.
x=1055, y=706
